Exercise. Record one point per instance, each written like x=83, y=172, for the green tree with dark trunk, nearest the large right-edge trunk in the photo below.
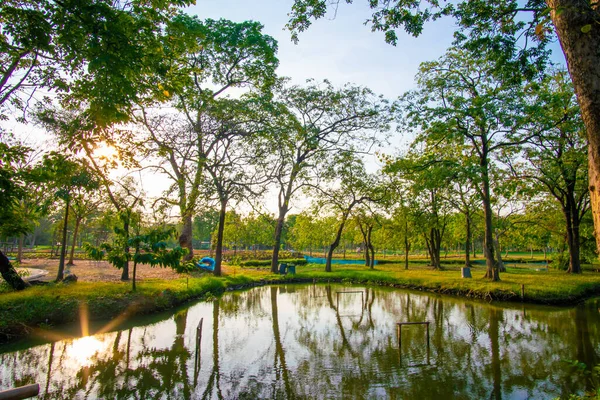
x=557, y=159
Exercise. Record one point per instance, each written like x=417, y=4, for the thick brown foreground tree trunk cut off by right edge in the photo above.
x=582, y=53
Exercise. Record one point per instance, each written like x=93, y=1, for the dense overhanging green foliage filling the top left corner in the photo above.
x=95, y=52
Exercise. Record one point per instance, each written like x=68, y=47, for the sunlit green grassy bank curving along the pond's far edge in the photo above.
x=41, y=307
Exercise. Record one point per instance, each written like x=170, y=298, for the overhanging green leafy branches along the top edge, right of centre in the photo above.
x=482, y=24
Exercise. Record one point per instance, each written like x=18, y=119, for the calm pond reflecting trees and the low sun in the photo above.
x=316, y=341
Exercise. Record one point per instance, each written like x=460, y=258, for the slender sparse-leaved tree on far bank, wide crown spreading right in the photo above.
x=318, y=121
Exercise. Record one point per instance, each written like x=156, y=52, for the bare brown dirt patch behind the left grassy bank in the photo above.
x=98, y=271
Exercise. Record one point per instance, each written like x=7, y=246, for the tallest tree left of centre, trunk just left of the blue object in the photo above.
x=206, y=60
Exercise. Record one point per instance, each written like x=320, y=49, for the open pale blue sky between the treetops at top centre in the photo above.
x=341, y=49
